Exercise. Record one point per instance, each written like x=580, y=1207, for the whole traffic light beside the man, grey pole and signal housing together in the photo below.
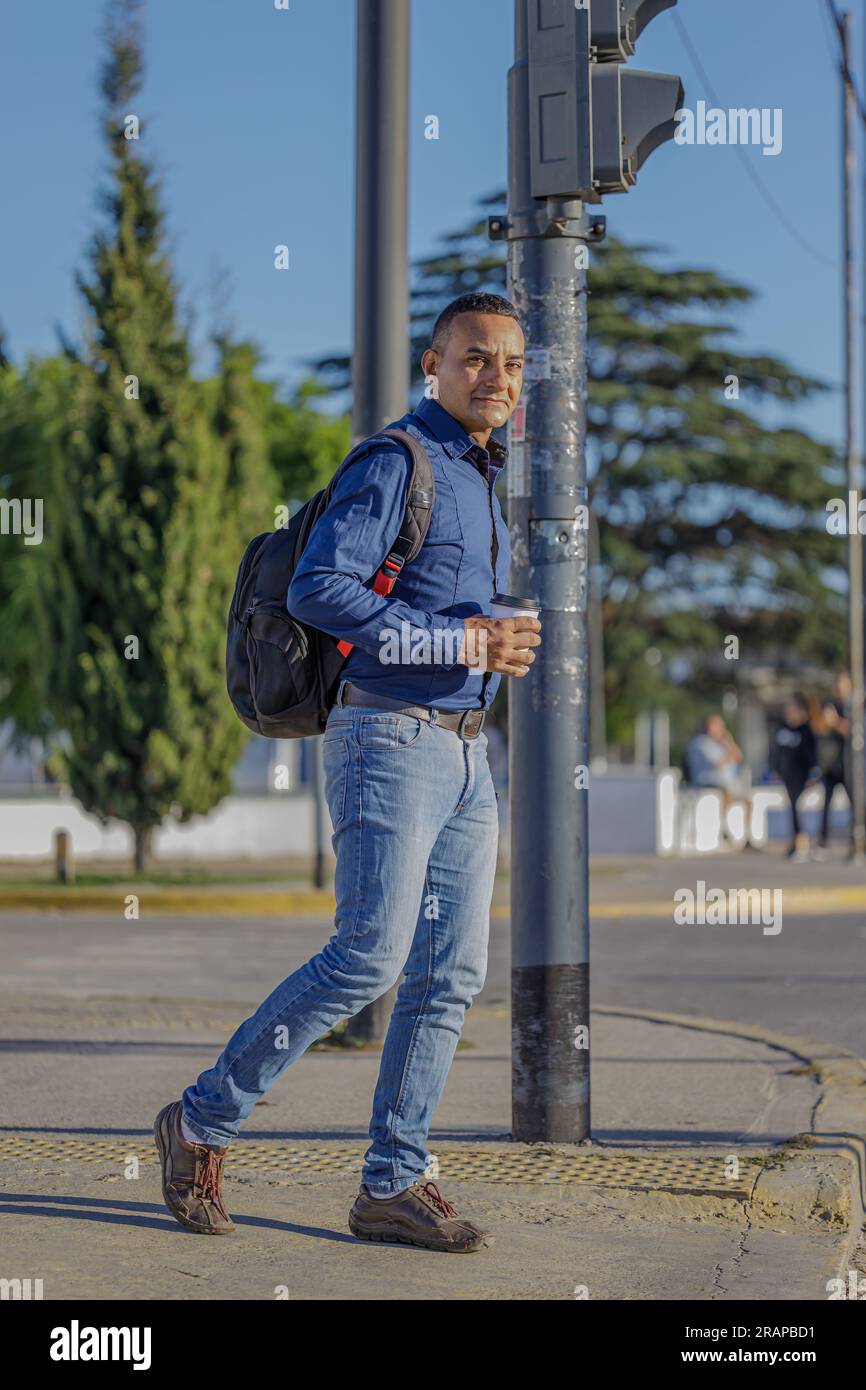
x=580, y=126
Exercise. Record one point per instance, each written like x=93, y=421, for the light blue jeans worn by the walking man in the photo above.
x=416, y=833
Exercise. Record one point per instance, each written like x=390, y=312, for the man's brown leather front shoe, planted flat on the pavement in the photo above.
x=416, y=1217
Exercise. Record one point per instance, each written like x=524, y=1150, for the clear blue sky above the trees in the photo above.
x=251, y=120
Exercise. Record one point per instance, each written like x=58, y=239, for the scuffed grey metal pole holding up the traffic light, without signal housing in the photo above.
x=548, y=711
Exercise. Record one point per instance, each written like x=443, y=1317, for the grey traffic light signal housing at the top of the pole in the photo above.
x=593, y=120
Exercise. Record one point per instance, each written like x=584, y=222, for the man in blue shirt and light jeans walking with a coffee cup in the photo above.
x=409, y=790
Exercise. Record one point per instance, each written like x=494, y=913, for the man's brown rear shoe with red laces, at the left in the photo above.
x=193, y=1177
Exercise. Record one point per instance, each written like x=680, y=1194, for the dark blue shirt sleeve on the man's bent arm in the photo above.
x=332, y=587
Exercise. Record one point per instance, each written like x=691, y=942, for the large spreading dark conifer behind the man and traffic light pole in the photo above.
x=711, y=522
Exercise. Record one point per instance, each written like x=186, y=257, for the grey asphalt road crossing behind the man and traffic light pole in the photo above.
x=807, y=981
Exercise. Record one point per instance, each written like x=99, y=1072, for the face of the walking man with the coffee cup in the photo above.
x=480, y=370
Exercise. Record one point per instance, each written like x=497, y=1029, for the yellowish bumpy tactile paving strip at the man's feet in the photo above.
x=496, y=1164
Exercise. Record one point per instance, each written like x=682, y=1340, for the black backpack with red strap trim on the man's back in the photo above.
x=281, y=673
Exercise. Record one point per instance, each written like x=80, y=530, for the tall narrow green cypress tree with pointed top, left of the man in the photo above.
x=154, y=540
